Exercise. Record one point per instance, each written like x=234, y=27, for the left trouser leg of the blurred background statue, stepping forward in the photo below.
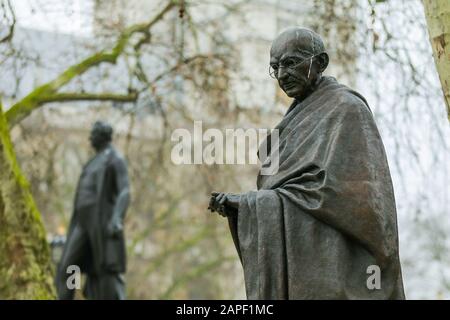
x=76, y=248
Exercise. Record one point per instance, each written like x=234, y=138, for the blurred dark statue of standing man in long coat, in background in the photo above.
x=95, y=241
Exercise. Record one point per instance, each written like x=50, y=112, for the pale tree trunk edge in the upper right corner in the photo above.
x=437, y=13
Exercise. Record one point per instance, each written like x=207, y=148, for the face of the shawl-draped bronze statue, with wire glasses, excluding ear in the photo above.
x=291, y=63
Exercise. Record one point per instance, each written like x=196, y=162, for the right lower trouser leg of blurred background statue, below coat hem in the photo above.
x=107, y=286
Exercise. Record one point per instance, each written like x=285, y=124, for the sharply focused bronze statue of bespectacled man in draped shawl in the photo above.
x=325, y=225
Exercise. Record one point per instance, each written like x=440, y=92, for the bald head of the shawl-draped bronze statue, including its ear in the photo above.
x=297, y=60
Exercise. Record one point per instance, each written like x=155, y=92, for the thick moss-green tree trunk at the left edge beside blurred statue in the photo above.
x=26, y=270
